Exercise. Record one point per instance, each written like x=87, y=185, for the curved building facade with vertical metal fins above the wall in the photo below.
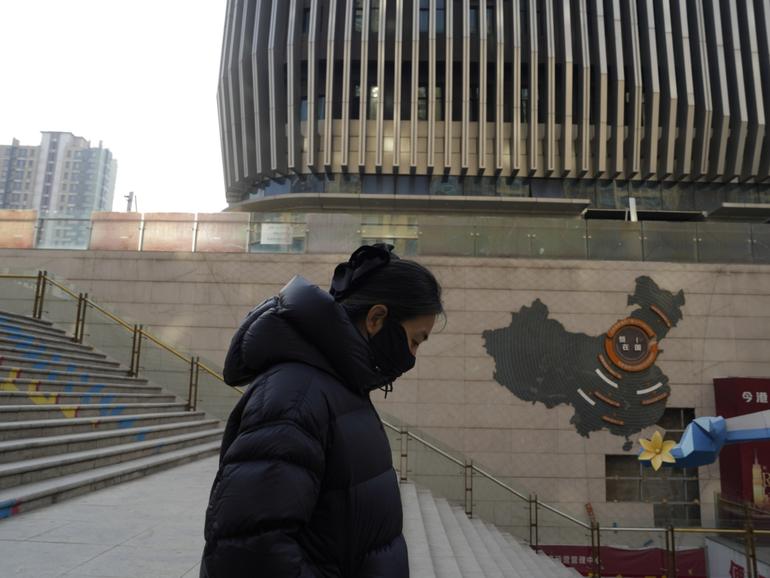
x=493, y=98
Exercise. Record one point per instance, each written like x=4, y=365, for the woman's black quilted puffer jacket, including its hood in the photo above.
x=306, y=486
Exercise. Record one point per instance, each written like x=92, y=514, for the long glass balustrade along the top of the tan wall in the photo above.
x=516, y=236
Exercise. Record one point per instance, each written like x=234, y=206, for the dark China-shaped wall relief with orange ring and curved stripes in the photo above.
x=611, y=380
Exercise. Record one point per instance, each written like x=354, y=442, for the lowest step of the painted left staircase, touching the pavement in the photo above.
x=28, y=497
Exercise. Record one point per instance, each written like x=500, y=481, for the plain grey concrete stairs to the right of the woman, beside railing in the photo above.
x=444, y=543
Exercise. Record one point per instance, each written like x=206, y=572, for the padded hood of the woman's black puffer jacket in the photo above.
x=302, y=323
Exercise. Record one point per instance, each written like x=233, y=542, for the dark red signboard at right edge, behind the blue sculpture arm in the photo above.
x=744, y=468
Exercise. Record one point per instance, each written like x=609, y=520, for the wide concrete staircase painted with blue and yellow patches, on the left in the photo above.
x=72, y=421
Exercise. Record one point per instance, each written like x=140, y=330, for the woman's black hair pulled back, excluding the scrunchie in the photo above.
x=406, y=288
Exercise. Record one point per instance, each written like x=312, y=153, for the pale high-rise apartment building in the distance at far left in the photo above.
x=64, y=179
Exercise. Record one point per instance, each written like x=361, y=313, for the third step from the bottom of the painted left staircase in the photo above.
x=27, y=449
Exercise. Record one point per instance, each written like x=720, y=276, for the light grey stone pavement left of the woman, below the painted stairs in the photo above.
x=147, y=528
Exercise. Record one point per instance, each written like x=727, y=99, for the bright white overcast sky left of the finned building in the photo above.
x=139, y=75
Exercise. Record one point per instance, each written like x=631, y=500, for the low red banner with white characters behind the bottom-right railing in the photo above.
x=628, y=563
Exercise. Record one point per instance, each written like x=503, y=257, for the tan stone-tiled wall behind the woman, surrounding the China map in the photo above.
x=197, y=300
